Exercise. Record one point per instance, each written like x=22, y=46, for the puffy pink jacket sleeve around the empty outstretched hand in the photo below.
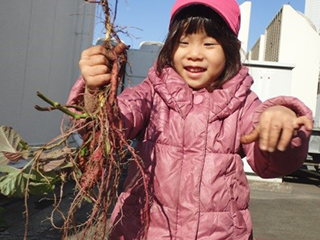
x=276, y=164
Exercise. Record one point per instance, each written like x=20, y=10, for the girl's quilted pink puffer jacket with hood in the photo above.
x=190, y=142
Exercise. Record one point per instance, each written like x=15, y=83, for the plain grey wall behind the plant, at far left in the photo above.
x=40, y=46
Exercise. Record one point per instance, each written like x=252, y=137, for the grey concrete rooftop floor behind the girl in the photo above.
x=280, y=211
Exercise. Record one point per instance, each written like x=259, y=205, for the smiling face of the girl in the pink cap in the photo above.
x=199, y=60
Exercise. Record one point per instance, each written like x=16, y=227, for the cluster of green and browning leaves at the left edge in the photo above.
x=16, y=182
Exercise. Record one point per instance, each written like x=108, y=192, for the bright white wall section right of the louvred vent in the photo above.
x=300, y=44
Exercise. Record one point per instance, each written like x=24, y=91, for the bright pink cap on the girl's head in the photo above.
x=228, y=9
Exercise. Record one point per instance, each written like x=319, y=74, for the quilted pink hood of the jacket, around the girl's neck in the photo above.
x=179, y=96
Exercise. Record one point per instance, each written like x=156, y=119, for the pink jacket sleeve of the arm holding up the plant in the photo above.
x=134, y=104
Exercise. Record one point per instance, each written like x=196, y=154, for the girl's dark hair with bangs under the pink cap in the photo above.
x=201, y=19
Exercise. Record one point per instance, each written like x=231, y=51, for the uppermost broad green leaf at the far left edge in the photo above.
x=12, y=142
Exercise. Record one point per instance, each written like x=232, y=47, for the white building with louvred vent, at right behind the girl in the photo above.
x=292, y=39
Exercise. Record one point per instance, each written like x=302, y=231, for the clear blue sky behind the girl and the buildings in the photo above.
x=147, y=20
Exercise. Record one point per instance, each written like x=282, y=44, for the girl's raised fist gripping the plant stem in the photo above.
x=95, y=66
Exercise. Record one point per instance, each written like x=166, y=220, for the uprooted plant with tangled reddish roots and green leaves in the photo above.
x=95, y=167
